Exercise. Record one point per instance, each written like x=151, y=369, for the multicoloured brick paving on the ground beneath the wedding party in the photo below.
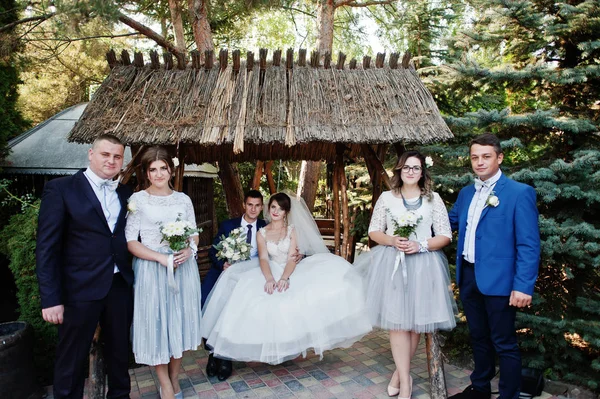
x=362, y=371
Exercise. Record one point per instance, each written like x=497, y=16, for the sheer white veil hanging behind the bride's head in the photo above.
x=310, y=241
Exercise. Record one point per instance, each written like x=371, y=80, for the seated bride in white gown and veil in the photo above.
x=274, y=310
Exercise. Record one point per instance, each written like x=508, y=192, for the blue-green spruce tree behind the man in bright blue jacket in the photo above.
x=529, y=72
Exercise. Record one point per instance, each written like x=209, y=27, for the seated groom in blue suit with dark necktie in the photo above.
x=253, y=205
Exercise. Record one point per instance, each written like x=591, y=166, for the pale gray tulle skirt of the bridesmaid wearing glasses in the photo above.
x=417, y=298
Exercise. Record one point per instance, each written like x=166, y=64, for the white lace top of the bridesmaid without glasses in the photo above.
x=151, y=211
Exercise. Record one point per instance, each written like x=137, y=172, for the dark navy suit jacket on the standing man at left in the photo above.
x=76, y=251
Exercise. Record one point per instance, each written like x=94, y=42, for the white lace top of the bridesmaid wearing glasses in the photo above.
x=432, y=210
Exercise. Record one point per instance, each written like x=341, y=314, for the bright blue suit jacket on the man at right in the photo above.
x=507, y=241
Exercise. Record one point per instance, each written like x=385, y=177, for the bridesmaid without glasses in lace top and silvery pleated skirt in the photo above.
x=167, y=311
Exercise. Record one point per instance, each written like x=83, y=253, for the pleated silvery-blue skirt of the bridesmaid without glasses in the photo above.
x=165, y=323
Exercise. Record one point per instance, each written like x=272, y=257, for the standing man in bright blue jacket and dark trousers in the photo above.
x=497, y=262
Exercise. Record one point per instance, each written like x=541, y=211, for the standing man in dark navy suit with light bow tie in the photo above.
x=84, y=269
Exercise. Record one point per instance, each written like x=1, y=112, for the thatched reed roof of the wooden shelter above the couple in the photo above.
x=271, y=110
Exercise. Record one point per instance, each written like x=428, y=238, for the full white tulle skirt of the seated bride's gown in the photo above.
x=324, y=308
